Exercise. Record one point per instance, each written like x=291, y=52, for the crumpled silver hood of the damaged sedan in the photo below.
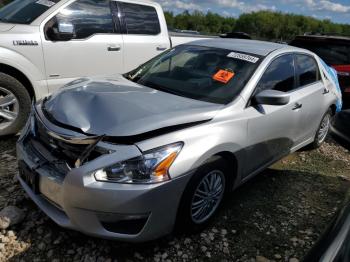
x=120, y=108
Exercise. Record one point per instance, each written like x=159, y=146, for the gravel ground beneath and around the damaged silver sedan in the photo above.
x=277, y=216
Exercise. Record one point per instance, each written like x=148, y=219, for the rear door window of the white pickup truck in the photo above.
x=140, y=19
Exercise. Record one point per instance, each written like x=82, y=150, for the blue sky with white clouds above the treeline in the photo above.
x=336, y=10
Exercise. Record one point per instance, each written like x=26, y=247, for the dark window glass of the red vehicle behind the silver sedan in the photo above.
x=331, y=53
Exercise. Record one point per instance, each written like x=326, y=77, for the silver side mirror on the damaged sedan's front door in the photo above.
x=272, y=97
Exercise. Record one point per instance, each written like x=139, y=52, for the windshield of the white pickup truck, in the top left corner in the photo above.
x=24, y=11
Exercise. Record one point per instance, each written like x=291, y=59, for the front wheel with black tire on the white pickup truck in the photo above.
x=15, y=105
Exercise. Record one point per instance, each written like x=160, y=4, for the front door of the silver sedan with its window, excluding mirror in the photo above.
x=274, y=130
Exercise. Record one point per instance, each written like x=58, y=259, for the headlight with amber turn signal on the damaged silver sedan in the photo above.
x=151, y=167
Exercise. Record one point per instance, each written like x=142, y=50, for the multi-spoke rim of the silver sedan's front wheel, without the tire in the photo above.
x=207, y=196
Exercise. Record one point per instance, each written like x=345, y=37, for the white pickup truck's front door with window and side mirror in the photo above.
x=95, y=45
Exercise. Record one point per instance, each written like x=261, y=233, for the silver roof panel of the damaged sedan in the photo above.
x=241, y=45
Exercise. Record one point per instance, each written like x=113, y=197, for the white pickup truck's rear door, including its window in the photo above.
x=144, y=31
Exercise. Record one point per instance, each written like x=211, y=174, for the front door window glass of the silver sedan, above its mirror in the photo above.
x=280, y=75
